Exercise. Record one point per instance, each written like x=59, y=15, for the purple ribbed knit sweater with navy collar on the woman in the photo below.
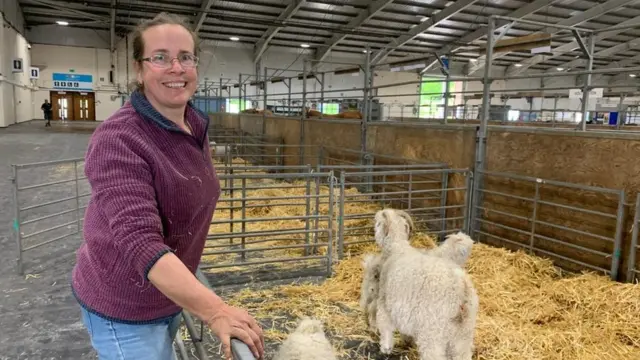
x=154, y=190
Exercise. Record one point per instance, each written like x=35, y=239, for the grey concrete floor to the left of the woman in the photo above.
x=40, y=318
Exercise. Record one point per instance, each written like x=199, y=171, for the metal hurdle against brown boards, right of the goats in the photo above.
x=578, y=226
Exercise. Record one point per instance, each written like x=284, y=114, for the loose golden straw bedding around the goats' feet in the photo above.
x=528, y=309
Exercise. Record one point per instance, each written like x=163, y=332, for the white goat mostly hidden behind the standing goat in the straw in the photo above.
x=456, y=247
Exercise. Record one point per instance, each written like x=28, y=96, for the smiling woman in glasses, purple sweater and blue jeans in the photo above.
x=154, y=191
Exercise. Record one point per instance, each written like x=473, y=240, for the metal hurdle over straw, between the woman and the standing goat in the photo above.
x=266, y=227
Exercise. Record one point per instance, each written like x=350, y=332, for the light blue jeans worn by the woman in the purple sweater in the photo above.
x=117, y=341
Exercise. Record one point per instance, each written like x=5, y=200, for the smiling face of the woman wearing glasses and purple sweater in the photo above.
x=171, y=86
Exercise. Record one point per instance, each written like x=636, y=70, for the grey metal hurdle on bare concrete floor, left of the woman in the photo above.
x=49, y=200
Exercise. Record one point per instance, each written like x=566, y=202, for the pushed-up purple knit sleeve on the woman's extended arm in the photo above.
x=122, y=186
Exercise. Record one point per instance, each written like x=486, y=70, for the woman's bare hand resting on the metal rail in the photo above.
x=231, y=322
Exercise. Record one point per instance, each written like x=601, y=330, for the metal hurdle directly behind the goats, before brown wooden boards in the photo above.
x=436, y=207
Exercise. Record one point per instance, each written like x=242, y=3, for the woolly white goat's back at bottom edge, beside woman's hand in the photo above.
x=306, y=342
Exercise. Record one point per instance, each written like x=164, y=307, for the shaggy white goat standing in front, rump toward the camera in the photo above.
x=425, y=297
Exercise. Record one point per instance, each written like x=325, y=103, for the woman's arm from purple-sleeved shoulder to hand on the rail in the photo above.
x=122, y=185
